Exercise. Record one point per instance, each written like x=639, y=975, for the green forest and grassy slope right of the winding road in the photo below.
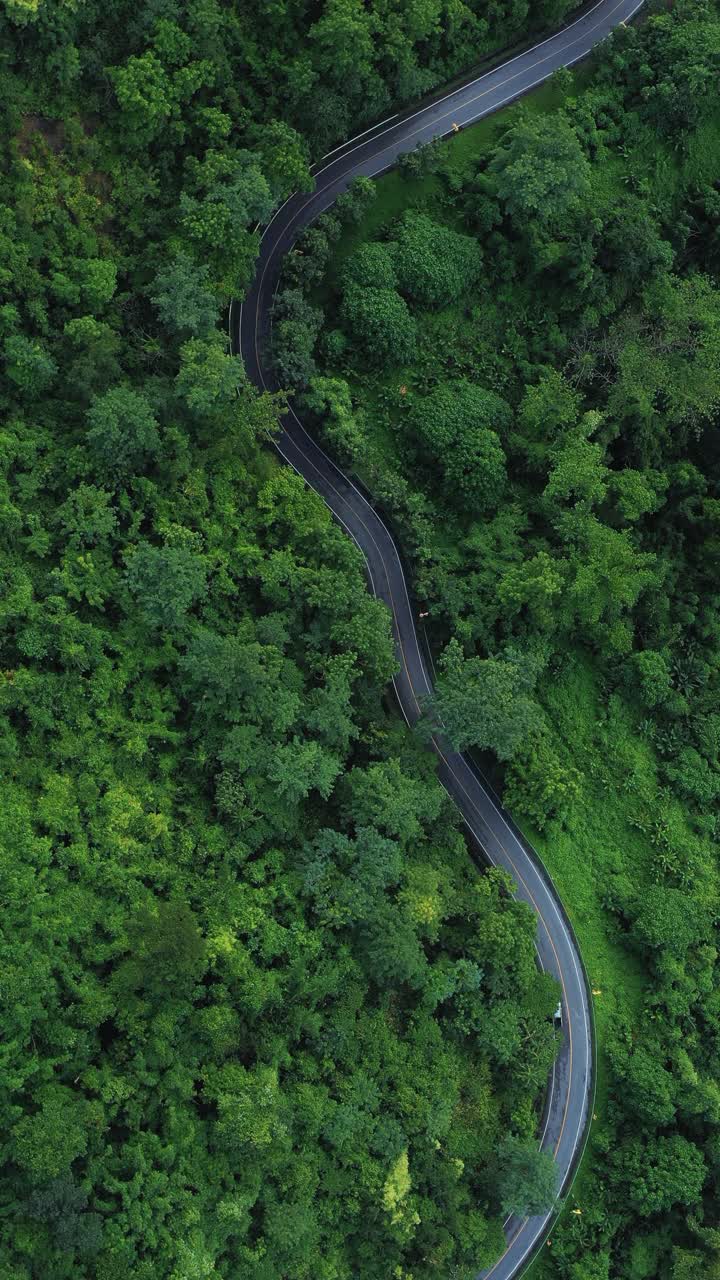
x=518, y=350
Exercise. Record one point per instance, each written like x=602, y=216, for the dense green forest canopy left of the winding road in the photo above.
x=259, y=1008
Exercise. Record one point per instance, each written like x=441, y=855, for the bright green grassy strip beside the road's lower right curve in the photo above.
x=598, y=839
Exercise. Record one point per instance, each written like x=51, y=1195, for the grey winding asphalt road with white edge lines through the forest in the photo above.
x=567, y=1110
